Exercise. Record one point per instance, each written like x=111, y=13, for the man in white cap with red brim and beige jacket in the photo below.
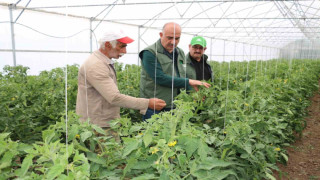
x=99, y=99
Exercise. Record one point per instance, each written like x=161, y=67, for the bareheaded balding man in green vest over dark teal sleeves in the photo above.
x=163, y=69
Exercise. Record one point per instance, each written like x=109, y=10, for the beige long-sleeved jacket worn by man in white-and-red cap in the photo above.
x=99, y=99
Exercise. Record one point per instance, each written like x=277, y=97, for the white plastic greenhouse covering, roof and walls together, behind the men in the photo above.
x=51, y=34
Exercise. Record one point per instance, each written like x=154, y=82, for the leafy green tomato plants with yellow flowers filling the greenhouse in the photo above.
x=234, y=130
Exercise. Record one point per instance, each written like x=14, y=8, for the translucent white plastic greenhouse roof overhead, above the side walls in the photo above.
x=265, y=23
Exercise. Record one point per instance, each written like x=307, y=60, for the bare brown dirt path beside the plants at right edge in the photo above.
x=304, y=154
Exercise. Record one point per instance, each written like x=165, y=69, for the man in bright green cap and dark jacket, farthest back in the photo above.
x=197, y=66
